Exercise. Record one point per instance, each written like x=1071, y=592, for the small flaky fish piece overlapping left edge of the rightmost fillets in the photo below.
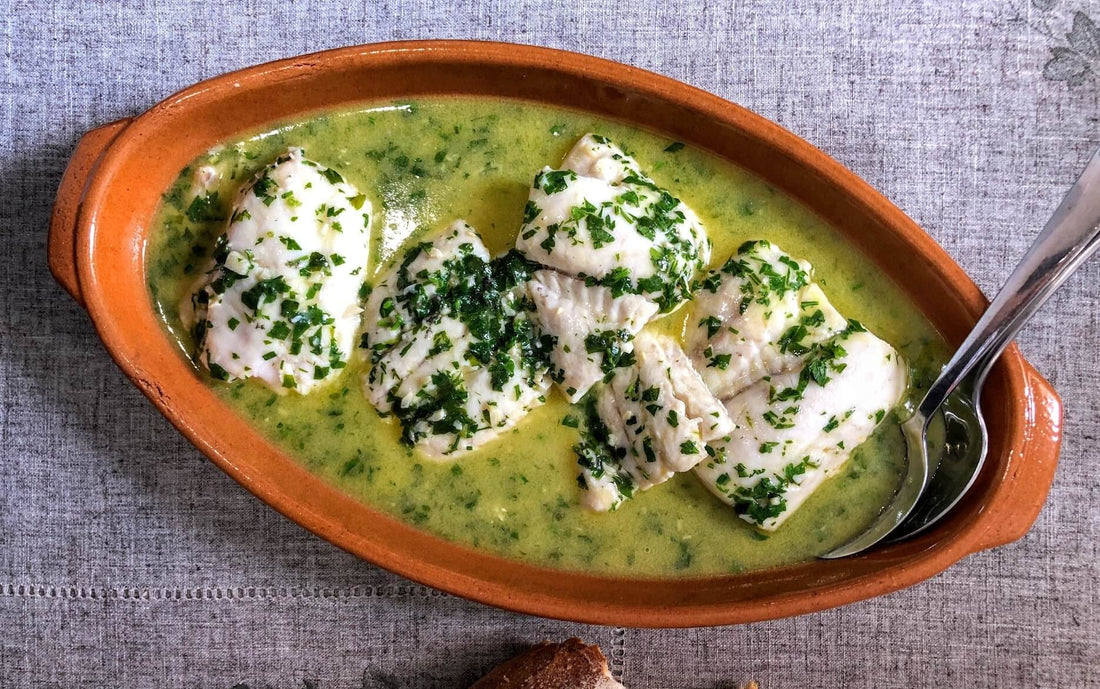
x=653, y=420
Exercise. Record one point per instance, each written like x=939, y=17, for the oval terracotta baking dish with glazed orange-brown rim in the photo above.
x=113, y=187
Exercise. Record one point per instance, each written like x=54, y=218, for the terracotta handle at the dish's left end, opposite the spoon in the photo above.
x=61, y=247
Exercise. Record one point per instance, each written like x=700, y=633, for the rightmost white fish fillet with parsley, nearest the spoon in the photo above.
x=791, y=433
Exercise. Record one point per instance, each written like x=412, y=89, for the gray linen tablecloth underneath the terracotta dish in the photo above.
x=129, y=561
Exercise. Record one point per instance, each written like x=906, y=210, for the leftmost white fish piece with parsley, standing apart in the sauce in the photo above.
x=282, y=301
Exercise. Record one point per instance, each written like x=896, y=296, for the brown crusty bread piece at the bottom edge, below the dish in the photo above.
x=569, y=665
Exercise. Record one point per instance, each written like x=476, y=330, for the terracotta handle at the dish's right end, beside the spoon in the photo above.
x=1028, y=482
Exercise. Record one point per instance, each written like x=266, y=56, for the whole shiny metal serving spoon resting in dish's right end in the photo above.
x=1070, y=238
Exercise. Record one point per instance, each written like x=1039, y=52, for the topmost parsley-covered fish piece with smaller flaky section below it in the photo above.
x=612, y=239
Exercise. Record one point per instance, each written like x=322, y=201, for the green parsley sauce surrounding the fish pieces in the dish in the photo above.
x=425, y=163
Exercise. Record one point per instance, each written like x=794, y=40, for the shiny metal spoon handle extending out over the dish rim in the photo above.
x=1071, y=236
